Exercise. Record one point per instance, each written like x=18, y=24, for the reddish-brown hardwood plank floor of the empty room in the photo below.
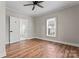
x=37, y=48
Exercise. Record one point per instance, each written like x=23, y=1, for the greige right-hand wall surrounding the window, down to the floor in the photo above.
x=67, y=26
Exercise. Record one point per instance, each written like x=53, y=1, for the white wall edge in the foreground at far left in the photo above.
x=2, y=29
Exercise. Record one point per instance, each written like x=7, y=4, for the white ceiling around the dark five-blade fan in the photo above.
x=48, y=6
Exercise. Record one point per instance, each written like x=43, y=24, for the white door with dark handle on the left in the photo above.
x=14, y=29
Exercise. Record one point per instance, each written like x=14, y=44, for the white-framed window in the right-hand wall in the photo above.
x=51, y=27
